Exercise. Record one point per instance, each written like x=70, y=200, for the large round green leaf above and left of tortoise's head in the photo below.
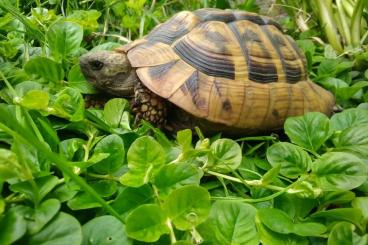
x=64, y=39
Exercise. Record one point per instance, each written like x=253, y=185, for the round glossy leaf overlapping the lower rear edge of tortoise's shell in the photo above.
x=309, y=131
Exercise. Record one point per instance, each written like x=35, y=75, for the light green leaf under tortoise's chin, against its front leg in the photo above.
x=116, y=114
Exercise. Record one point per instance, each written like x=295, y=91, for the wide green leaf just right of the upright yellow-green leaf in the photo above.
x=174, y=176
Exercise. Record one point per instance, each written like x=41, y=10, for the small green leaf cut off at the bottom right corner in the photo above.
x=343, y=233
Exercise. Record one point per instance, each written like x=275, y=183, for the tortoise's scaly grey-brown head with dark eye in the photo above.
x=109, y=71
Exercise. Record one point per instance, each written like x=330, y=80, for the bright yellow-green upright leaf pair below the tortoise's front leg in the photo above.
x=144, y=156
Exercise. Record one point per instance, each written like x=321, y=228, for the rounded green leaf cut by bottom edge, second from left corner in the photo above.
x=63, y=229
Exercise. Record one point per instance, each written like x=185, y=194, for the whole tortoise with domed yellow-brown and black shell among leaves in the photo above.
x=222, y=70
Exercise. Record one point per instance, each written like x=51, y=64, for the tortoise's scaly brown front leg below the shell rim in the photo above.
x=149, y=106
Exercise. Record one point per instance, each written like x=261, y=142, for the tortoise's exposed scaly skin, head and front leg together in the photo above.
x=111, y=72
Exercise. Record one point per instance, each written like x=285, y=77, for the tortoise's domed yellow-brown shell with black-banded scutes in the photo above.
x=230, y=67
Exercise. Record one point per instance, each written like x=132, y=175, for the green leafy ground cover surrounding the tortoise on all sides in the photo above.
x=71, y=174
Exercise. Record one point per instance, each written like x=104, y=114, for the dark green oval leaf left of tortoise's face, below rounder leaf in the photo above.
x=45, y=68
